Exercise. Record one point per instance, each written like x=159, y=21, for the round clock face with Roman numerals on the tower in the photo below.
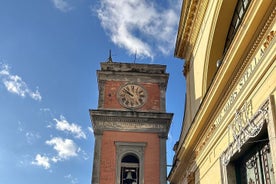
x=132, y=96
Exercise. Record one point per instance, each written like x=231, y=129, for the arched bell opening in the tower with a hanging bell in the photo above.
x=129, y=169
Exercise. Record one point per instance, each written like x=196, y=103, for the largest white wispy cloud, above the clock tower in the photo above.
x=140, y=26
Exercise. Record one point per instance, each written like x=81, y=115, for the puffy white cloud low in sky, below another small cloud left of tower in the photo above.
x=65, y=148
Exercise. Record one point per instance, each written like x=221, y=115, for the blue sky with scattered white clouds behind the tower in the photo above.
x=49, y=53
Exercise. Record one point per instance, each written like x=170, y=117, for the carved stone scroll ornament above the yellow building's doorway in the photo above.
x=244, y=128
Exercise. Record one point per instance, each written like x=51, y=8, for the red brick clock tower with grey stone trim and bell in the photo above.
x=131, y=124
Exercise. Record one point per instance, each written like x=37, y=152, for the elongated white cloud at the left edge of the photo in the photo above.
x=14, y=84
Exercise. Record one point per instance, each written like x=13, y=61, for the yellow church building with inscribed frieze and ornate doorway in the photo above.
x=229, y=127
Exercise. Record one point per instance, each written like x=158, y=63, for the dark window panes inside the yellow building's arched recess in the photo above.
x=238, y=15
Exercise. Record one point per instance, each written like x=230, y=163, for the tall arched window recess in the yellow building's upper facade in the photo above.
x=226, y=24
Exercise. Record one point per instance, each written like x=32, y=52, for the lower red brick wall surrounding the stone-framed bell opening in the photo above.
x=108, y=155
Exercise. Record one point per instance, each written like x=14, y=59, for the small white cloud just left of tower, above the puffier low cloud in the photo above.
x=63, y=125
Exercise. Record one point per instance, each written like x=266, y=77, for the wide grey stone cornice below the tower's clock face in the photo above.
x=152, y=122
